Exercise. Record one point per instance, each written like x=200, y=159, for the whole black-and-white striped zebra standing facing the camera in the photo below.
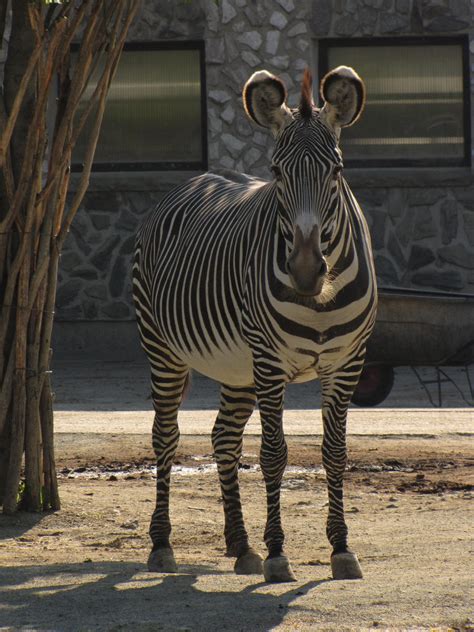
x=257, y=284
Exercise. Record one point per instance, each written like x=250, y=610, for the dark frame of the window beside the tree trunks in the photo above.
x=114, y=167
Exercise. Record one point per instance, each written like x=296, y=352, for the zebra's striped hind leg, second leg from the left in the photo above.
x=237, y=404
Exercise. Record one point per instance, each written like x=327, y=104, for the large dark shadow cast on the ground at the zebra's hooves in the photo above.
x=118, y=596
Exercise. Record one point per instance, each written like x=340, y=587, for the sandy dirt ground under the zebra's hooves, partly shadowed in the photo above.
x=409, y=510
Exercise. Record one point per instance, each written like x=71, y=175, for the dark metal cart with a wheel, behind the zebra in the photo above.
x=418, y=328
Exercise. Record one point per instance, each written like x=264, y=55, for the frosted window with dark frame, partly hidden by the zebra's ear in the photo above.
x=417, y=110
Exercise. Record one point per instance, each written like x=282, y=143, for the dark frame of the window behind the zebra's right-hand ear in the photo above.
x=324, y=45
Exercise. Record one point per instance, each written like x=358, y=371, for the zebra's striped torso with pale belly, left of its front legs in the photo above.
x=193, y=254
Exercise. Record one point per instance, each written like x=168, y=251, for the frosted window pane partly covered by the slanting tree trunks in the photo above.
x=155, y=114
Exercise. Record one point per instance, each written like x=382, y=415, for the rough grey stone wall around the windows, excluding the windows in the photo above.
x=422, y=225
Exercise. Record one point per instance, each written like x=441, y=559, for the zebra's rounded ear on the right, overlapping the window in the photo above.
x=343, y=92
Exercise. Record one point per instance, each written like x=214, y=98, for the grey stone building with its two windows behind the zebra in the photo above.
x=409, y=161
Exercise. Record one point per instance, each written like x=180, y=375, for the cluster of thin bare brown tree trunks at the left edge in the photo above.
x=34, y=220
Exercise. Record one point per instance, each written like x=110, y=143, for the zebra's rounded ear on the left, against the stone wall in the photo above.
x=264, y=97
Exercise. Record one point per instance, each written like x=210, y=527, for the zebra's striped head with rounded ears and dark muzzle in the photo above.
x=307, y=164
